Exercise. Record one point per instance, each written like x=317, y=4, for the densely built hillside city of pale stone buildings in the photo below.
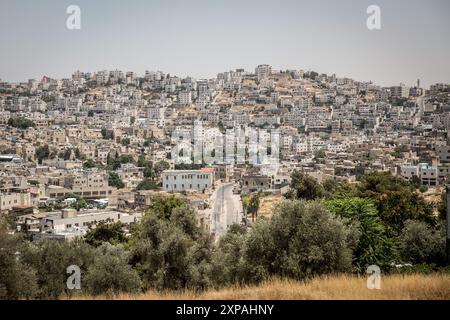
x=98, y=146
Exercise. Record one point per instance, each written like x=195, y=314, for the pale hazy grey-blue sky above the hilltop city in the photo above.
x=203, y=37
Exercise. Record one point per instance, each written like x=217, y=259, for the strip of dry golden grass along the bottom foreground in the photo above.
x=415, y=287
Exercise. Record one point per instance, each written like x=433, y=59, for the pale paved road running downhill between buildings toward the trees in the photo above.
x=227, y=209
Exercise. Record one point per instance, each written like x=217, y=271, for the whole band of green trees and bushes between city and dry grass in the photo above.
x=321, y=229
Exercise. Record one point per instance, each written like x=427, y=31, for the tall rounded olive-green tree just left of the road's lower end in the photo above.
x=170, y=250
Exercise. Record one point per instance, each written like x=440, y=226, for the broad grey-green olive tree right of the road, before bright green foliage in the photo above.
x=302, y=239
